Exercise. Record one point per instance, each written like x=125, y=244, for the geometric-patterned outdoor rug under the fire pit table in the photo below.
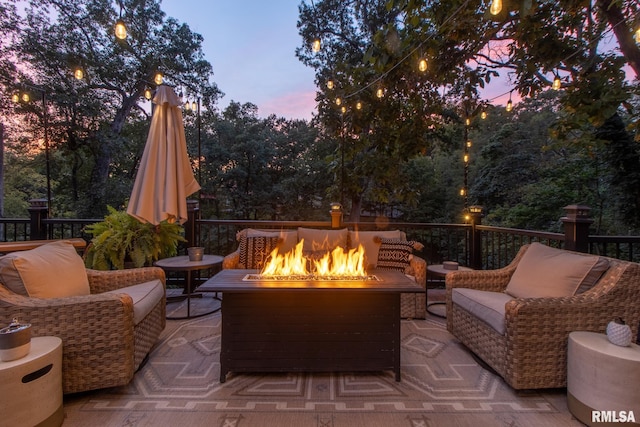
x=440, y=378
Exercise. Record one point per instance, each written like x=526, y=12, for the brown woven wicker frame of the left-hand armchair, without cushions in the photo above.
x=101, y=345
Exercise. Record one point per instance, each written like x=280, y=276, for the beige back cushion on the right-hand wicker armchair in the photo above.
x=549, y=272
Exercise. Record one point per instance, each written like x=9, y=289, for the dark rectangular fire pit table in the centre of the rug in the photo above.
x=309, y=325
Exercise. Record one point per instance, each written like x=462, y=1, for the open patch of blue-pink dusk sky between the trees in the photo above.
x=251, y=46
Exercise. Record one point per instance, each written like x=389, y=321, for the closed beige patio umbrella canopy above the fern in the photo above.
x=164, y=178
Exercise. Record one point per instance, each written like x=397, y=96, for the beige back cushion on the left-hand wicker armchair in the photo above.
x=53, y=270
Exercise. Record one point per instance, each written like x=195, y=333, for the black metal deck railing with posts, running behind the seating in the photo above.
x=473, y=244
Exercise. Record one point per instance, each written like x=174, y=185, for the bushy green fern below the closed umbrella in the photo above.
x=122, y=241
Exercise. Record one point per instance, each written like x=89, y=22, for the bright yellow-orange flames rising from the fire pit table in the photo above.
x=335, y=264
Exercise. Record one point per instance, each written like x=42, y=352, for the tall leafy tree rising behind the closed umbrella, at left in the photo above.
x=88, y=116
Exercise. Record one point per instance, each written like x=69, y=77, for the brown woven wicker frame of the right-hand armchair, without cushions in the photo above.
x=532, y=353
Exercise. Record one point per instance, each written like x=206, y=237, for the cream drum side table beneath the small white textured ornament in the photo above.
x=602, y=377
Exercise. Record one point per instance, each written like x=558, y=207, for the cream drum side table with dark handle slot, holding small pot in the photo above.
x=31, y=387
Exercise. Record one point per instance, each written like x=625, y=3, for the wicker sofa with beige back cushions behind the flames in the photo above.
x=412, y=305
